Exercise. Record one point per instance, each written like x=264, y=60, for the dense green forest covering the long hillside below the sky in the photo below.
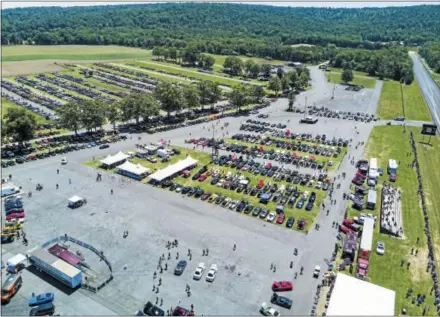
x=261, y=31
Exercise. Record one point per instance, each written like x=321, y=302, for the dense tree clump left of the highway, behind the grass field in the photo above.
x=393, y=63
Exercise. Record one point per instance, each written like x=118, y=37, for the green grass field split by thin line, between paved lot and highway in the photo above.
x=390, y=104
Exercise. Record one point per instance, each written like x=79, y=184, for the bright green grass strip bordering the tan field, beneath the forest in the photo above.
x=70, y=52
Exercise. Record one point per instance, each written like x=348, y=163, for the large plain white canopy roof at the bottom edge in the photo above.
x=354, y=297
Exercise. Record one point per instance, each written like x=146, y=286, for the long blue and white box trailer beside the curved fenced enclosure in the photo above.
x=55, y=267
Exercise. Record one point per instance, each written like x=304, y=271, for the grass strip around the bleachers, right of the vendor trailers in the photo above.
x=387, y=142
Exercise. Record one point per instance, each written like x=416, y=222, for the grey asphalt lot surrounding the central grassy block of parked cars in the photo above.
x=154, y=216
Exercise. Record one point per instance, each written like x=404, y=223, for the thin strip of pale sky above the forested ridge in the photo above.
x=334, y=4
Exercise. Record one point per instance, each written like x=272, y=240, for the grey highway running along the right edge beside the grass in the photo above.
x=429, y=88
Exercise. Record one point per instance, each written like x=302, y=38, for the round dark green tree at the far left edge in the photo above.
x=20, y=124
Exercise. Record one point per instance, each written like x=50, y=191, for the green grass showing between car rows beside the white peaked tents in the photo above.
x=204, y=159
